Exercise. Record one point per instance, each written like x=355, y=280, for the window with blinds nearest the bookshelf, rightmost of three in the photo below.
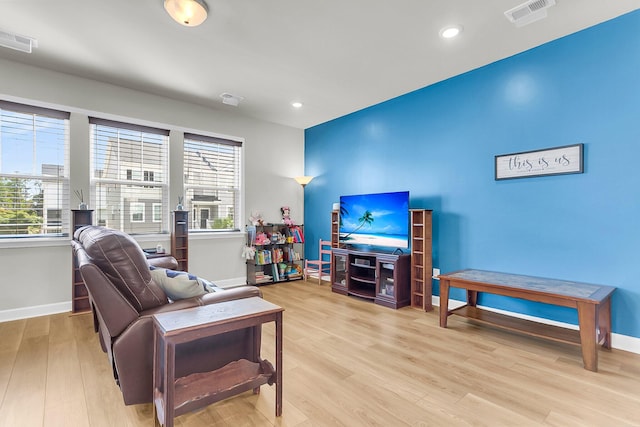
x=212, y=182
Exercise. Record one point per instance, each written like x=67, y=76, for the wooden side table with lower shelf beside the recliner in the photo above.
x=175, y=396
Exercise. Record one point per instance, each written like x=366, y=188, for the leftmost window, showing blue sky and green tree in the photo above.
x=34, y=171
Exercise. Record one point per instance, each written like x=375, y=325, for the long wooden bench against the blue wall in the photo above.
x=593, y=303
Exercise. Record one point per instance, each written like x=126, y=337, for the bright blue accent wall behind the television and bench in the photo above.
x=439, y=143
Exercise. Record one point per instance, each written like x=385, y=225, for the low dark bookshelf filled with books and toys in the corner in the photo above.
x=278, y=253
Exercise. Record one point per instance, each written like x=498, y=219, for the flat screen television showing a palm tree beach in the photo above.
x=376, y=220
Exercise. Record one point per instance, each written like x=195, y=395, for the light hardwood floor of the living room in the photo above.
x=347, y=362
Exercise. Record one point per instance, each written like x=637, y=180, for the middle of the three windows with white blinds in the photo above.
x=129, y=176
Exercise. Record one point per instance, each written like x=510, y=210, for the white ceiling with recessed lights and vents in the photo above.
x=335, y=56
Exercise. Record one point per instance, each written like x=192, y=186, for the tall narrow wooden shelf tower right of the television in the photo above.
x=421, y=259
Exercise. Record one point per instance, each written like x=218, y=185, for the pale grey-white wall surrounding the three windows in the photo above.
x=39, y=275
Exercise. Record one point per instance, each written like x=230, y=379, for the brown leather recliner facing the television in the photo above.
x=124, y=297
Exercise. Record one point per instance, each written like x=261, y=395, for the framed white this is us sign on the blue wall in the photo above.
x=551, y=161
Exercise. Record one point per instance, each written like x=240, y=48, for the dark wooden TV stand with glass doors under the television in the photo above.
x=381, y=277
